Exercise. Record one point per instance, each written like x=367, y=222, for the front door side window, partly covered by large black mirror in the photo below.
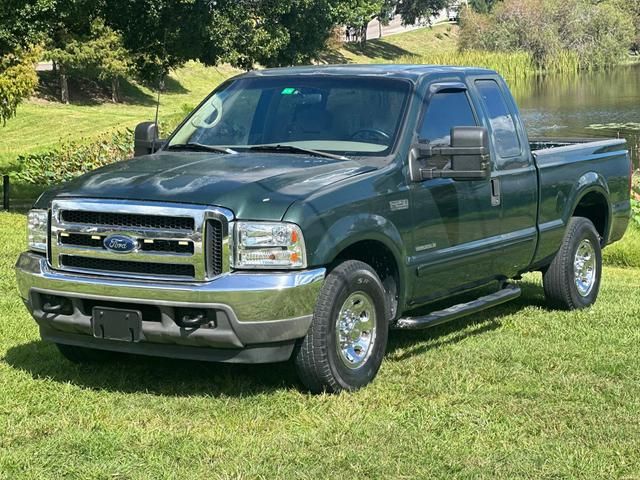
x=445, y=111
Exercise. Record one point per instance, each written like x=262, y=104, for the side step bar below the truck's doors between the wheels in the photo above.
x=454, y=312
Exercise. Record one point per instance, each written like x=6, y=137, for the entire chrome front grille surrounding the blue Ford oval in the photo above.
x=172, y=241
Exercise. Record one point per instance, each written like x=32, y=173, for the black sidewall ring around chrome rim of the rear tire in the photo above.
x=585, y=230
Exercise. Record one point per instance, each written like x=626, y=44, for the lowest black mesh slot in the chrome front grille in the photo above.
x=123, y=266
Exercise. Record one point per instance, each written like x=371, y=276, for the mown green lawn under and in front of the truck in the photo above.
x=516, y=392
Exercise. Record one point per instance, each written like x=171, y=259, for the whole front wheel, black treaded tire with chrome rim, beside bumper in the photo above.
x=352, y=287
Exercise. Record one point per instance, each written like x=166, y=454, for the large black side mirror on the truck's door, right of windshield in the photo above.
x=469, y=153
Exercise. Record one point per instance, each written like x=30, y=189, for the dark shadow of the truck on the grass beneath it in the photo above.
x=169, y=377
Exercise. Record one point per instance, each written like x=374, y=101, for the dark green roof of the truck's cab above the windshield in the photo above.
x=411, y=72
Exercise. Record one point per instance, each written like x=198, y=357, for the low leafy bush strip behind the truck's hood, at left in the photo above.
x=72, y=159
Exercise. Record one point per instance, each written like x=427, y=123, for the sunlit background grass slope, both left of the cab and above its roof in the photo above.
x=40, y=125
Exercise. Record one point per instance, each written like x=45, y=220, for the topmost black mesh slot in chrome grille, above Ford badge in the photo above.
x=127, y=220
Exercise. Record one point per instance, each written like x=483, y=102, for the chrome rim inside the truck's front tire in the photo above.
x=356, y=330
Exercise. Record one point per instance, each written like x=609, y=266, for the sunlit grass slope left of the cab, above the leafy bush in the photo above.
x=40, y=125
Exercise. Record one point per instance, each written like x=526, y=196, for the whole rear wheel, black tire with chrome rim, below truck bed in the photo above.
x=566, y=285
